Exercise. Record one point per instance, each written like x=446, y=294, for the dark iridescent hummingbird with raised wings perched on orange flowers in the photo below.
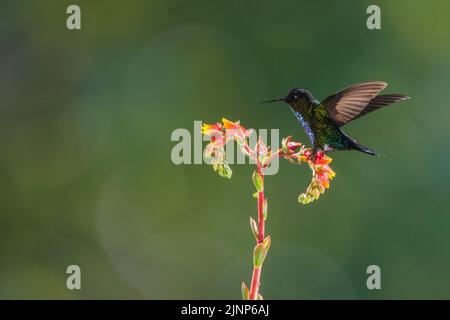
x=322, y=121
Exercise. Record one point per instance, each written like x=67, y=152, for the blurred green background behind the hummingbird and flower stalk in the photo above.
x=86, y=176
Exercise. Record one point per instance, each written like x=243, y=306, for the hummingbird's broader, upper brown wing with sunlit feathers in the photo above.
x=349, y=103
